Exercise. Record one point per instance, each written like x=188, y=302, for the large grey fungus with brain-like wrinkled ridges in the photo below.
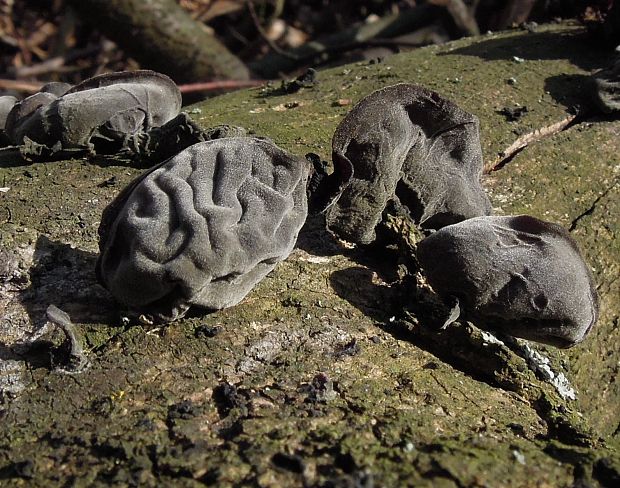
x=203, y=227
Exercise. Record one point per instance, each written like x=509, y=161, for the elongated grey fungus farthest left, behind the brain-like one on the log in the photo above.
x=109, y=111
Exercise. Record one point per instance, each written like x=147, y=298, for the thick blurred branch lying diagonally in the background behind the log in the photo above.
x=162, y=36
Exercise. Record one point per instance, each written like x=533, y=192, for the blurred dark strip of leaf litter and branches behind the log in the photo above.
x=70, y=40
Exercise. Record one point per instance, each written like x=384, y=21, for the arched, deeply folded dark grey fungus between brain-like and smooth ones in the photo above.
x=404, y=142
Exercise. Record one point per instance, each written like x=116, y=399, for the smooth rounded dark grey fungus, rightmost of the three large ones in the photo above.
x=520, y=275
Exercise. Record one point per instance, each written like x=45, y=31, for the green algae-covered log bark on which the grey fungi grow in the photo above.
x=330, y=372
